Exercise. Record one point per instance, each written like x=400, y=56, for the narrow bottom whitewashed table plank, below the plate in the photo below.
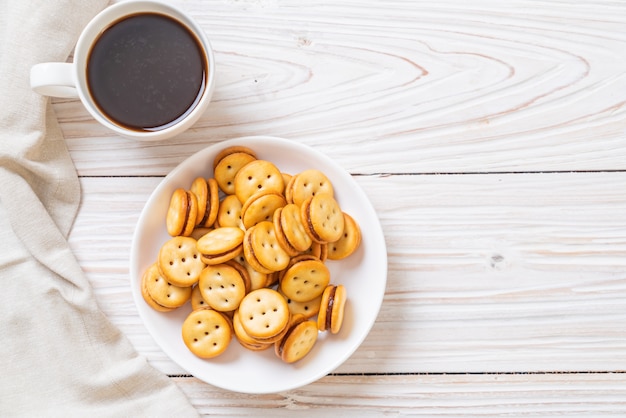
x=425, y=395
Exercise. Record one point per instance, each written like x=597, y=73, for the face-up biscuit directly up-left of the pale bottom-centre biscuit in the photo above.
x=222, y=287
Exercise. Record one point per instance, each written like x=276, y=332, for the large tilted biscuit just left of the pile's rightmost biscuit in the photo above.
x=322, y=218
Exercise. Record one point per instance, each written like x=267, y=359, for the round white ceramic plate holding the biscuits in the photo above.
x=364, y=274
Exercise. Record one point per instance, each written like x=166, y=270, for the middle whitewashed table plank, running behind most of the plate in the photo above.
x=508, y=273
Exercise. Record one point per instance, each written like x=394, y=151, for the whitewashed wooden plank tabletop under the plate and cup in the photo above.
x=490, y=137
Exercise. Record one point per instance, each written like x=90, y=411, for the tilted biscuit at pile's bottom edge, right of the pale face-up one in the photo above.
x=298, y=341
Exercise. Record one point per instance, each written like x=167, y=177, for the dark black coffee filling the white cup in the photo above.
x=146, y=72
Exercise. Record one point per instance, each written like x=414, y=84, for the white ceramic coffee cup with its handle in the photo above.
x=70, y=80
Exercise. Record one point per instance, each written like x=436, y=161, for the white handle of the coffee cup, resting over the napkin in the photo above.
x=53, y=79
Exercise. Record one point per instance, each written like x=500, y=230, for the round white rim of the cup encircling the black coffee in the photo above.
x=101, y=22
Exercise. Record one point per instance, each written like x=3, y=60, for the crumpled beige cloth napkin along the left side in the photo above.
x=59, y=355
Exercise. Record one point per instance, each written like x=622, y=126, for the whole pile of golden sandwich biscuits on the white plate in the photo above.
x=248, y=249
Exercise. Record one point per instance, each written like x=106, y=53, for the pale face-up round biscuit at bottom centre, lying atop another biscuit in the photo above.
x=264, y=313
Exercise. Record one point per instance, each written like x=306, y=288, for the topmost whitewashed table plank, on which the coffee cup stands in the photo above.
x=423, y=86
